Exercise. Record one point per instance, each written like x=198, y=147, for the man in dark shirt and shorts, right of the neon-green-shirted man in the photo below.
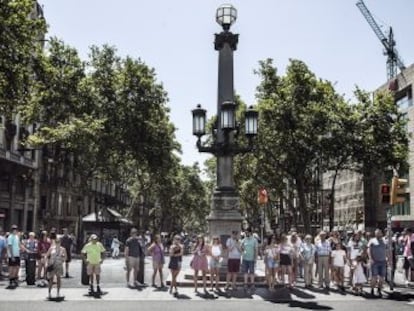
x=133, y=252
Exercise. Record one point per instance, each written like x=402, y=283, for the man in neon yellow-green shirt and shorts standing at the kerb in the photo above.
x=93, y=253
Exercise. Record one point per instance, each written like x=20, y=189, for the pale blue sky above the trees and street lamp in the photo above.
x=176, y=38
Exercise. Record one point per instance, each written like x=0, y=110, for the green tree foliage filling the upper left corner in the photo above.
x=20, y=41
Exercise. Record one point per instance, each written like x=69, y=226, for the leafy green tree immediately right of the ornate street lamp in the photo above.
x=294, y=114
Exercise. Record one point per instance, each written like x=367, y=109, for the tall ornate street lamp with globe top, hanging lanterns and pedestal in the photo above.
x=225, y=214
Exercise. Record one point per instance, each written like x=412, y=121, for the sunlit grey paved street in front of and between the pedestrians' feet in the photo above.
x=113, y=282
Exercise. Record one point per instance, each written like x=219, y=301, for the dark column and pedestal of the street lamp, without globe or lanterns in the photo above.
x=225, y=214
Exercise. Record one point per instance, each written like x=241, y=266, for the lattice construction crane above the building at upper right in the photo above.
x=393, y=59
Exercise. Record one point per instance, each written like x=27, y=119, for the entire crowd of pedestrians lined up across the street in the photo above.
x=320, y=260
